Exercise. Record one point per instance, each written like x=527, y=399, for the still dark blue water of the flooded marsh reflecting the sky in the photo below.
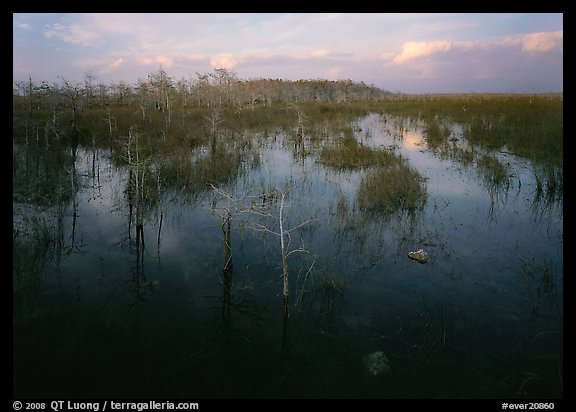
x=192, y=307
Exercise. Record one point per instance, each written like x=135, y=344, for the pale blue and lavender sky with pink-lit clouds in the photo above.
x=408, y=53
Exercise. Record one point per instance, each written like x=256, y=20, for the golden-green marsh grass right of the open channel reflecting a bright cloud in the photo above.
x=530, y=126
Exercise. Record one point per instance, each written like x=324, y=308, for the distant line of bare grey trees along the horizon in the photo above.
x=159, y=91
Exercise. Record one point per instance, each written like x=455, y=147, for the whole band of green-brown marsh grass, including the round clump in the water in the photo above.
x=526, y=125
